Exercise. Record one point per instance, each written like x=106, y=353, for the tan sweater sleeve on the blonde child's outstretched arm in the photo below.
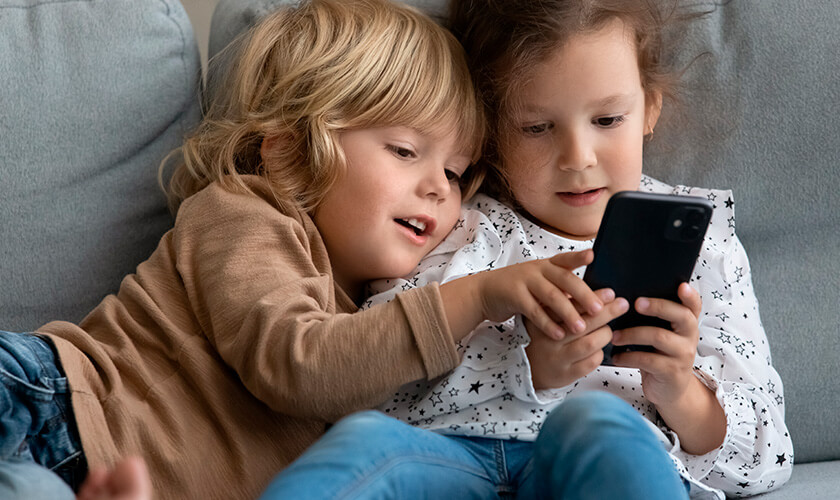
x=260, y=285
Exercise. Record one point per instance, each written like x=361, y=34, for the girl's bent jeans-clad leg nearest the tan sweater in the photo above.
x=370, y=455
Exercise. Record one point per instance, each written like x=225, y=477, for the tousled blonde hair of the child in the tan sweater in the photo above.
x=304, y=74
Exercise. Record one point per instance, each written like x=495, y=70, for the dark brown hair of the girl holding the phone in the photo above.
x=505, y=39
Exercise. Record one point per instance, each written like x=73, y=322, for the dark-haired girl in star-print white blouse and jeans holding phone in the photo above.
x=573, y=89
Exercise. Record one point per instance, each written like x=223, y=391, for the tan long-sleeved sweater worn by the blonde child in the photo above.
x=226, y=353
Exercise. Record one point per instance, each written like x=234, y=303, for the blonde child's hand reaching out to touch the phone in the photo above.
x=545, y=291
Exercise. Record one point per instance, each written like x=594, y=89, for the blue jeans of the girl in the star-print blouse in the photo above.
x=591, y=446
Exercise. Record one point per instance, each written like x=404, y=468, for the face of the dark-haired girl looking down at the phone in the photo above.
x=579, y=137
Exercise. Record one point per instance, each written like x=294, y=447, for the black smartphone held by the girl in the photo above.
x=646, y=246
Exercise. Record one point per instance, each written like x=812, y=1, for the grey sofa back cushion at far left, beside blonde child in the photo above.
x=94, y=94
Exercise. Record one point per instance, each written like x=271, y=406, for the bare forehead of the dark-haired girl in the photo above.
x=595, y=65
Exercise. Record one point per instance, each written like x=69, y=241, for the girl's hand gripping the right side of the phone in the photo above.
x=667, y=372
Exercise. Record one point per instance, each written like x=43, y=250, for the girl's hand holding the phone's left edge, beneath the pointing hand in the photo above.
x=558, y=363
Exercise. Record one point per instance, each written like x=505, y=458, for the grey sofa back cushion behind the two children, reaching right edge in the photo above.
x=759, y=117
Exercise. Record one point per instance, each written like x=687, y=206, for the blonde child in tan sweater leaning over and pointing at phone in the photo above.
x=333, y=154
